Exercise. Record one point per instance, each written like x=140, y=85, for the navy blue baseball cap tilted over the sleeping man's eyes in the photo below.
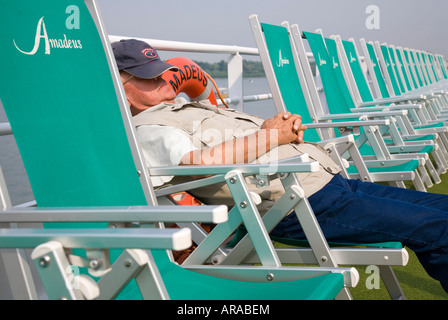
x=139, y=59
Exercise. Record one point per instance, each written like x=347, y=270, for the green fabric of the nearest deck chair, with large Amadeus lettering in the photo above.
x=60, y=99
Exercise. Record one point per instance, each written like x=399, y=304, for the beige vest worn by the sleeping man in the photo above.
x=208, y=126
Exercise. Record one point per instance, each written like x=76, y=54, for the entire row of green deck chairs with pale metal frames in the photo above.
x=101, y=231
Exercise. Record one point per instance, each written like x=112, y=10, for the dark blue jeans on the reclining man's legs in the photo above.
x=352, y=211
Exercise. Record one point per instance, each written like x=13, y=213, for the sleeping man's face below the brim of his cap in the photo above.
x=146, y=93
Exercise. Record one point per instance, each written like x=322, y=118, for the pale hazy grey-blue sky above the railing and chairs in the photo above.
x=408, y=23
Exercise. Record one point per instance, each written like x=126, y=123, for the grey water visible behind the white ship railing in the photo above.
x=14, y=170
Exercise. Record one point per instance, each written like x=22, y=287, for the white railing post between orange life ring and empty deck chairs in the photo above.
x=235, y=81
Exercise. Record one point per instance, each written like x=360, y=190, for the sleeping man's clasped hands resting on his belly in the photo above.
x=289, y=127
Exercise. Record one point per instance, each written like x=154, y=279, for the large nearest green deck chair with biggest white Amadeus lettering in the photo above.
x=78, y=146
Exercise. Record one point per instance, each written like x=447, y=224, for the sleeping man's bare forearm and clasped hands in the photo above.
x=281, y=129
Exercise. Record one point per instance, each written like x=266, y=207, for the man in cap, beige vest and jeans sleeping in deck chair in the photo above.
x=176, y=132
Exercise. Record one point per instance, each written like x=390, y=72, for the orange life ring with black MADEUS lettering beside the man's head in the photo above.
x=190, y=79
